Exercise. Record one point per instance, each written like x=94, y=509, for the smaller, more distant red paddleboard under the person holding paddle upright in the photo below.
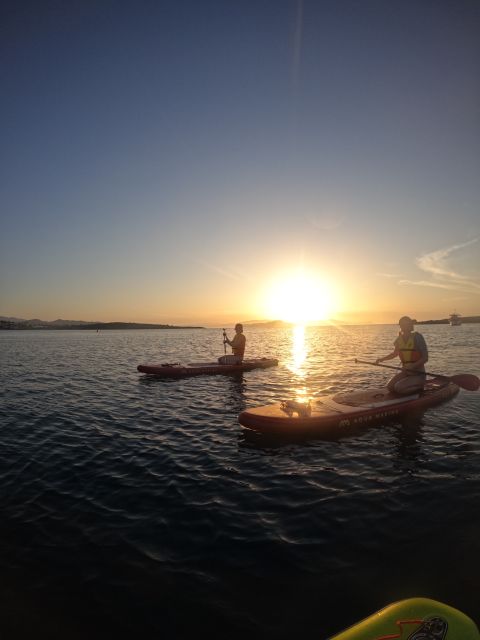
x=177, y=370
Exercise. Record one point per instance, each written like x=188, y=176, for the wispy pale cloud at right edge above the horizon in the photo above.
x=437, y=264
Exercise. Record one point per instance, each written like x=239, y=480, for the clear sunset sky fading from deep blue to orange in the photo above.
x=210, y=162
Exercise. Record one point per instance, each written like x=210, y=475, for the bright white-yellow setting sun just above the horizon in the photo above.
x=301, y=299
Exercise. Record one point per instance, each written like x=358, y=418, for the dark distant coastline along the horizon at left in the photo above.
x=18, y=323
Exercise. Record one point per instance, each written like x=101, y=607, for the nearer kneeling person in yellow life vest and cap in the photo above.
x=411, y=348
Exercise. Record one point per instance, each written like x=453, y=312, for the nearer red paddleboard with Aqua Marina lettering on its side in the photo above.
x=336, y=414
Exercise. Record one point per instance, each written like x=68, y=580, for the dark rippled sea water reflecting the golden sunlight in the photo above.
x=137, y=507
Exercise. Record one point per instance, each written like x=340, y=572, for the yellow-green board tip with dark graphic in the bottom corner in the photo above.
x=413, y=619
